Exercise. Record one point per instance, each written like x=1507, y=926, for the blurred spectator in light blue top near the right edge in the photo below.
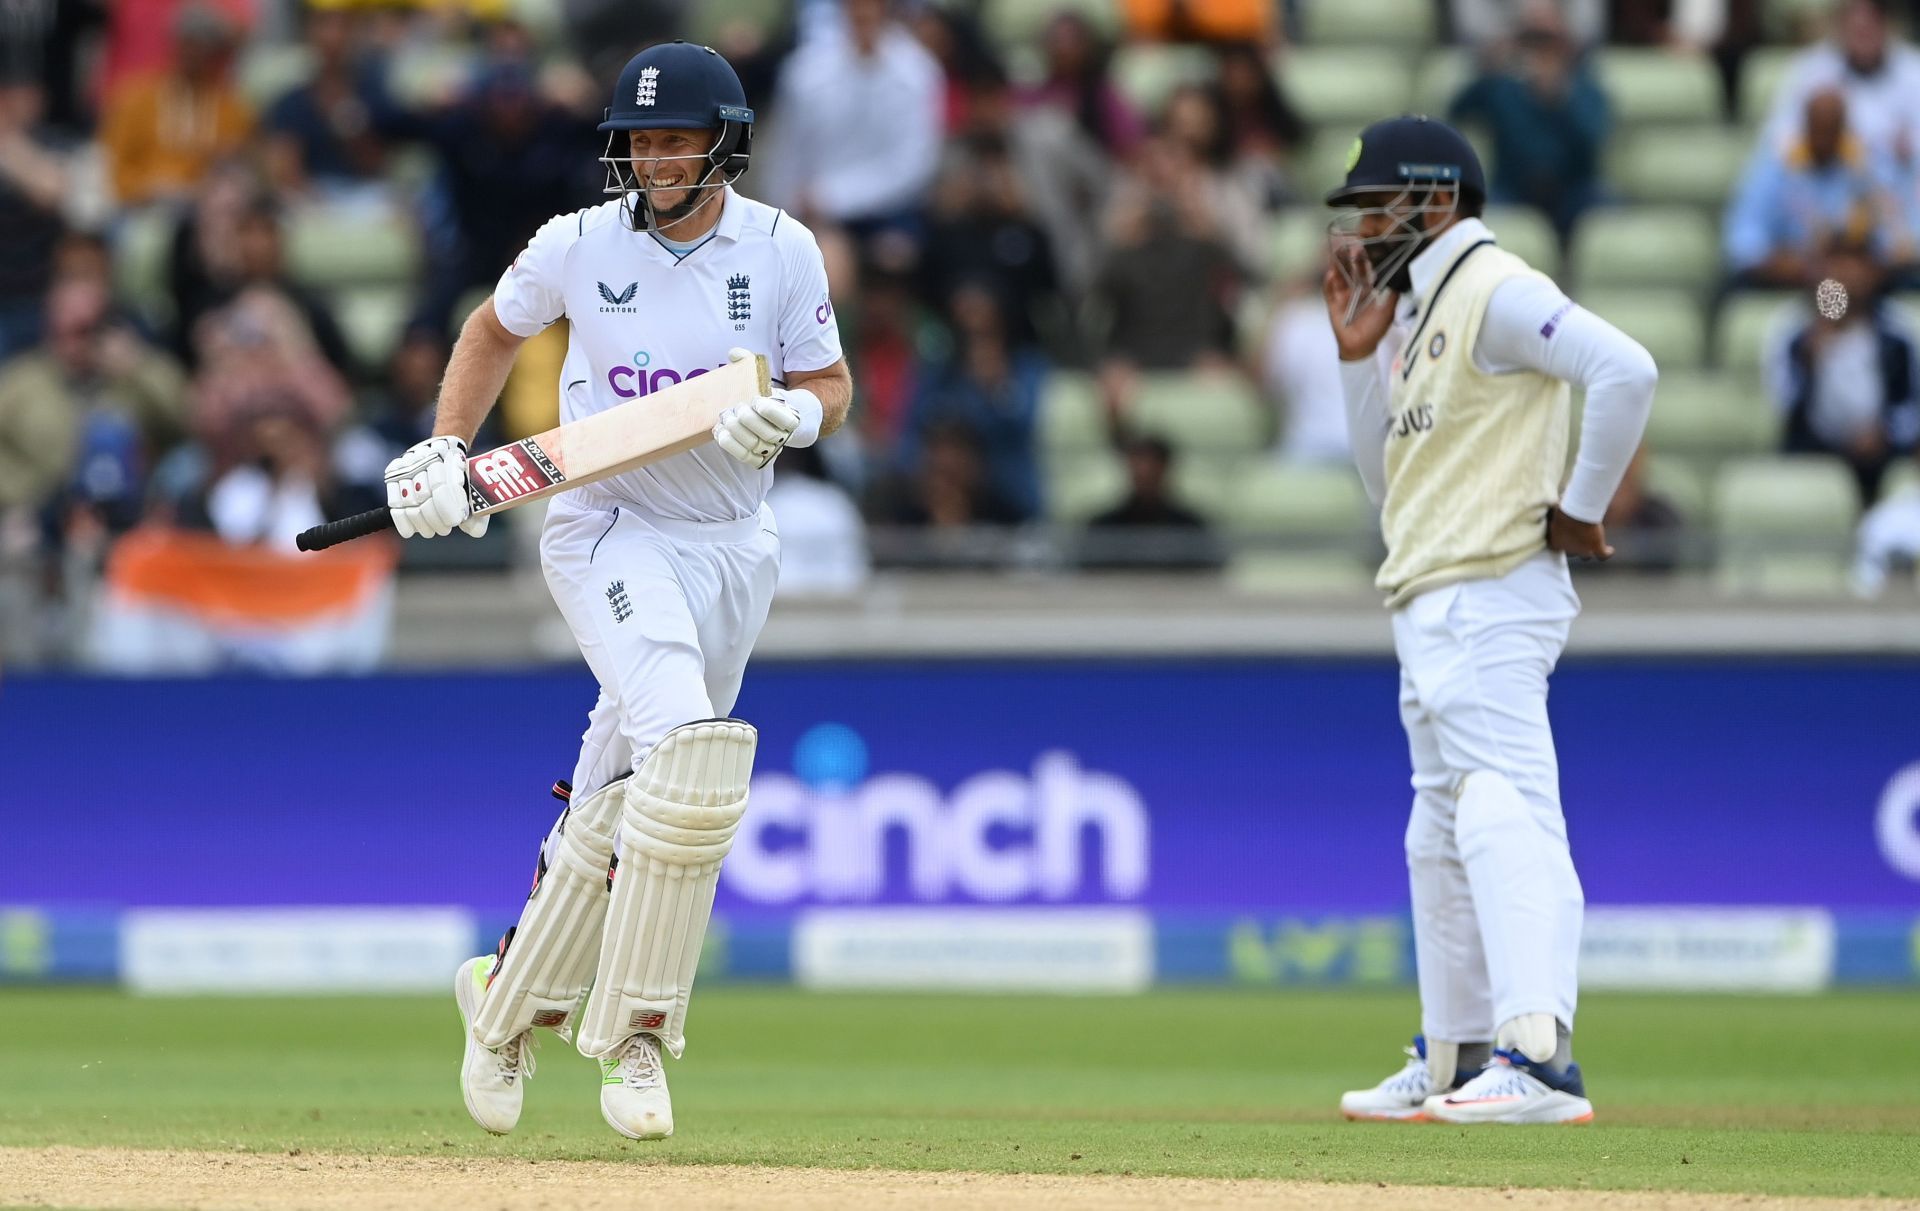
x=1810, y=193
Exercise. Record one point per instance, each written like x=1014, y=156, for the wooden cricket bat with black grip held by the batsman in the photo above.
x=656, y=427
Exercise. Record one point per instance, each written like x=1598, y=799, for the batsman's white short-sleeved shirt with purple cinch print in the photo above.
x=644, y=320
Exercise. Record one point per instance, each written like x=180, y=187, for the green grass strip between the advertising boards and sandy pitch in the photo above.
x=1694, y=1093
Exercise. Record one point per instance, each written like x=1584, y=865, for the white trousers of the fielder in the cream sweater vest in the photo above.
x=1497, y=903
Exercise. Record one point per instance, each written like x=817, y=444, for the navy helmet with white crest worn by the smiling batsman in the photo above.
x=677, y=87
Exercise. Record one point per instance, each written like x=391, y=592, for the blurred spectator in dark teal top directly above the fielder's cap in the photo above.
x=1548, y=120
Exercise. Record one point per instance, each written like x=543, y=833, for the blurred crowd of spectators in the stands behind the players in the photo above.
x=994, y=216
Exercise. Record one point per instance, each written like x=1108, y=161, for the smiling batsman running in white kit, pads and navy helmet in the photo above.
x=663, y=575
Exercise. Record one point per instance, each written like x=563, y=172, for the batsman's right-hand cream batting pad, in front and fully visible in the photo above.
x=683, y=811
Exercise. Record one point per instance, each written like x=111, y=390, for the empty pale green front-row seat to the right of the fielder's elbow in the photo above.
x=1785, y=527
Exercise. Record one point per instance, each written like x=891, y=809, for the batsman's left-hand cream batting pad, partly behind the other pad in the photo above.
x=550, y=961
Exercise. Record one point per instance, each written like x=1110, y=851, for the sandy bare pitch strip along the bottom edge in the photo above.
x=216, y=1181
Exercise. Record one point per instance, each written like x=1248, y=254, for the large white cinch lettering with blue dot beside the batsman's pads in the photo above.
x=838, y=834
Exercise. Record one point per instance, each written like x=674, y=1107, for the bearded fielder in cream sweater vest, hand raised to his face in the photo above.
x=1456, y=369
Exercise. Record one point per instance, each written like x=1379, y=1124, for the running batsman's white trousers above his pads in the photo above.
x=665, y=615
